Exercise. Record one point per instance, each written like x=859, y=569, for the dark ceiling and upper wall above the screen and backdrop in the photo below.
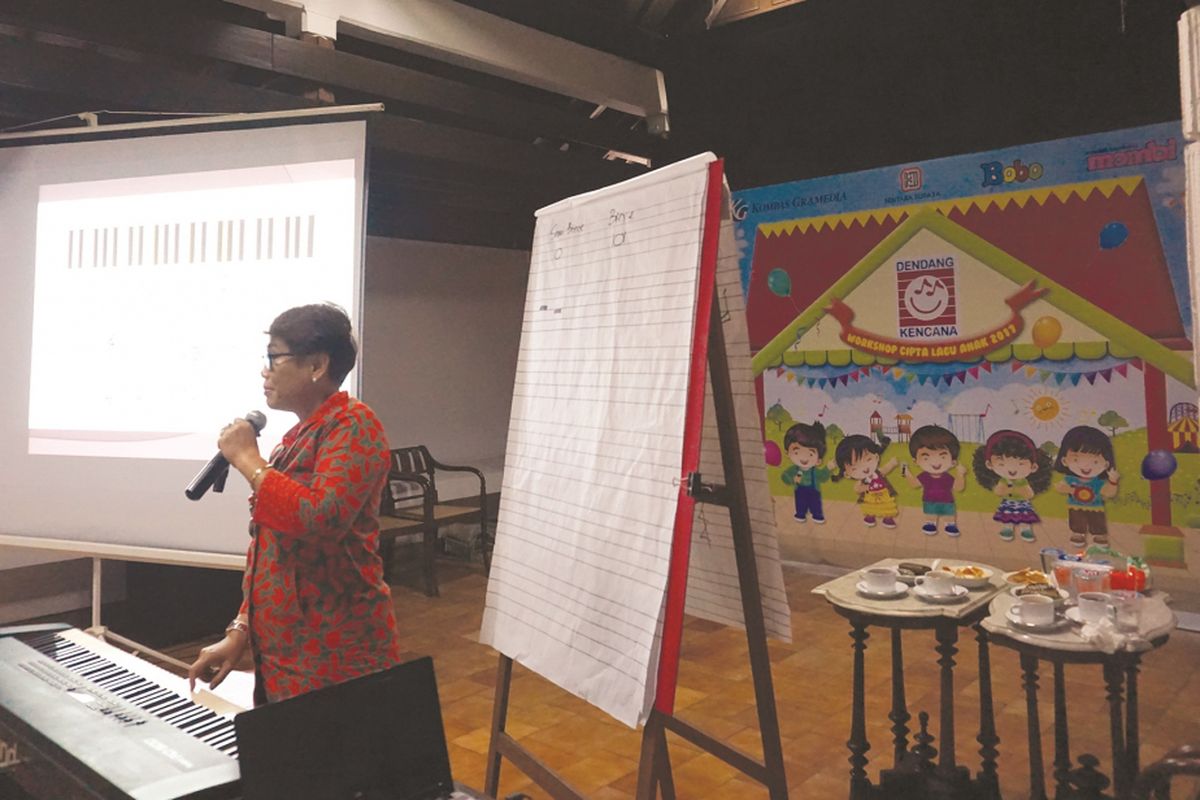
x=819, y=88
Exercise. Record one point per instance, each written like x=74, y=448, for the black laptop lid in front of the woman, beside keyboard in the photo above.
x=374, y=738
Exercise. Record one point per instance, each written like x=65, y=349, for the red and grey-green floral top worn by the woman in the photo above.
x=314, y=592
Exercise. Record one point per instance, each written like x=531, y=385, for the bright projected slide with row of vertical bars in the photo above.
x=153, y=294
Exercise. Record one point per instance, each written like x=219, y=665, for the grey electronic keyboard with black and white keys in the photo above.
x=81, y=719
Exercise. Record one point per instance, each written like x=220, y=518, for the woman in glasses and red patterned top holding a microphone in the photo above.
x=316, y=610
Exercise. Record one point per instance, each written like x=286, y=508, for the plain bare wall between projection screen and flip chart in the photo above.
x=441, y=335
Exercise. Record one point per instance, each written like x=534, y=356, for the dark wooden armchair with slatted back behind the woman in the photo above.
x=411, y=506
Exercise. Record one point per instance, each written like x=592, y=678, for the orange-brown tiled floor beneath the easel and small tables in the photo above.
x=813, y=688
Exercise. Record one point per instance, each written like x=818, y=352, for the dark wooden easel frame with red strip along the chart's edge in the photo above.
x=709, y=352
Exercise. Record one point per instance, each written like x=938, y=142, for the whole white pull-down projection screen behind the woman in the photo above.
x=139, y=278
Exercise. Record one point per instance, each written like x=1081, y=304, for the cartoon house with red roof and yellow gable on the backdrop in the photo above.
x=1017, y=281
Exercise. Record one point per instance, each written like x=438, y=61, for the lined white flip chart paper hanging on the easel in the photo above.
x=596, y=443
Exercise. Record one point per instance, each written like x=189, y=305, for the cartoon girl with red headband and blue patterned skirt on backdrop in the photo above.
x=1016, y=471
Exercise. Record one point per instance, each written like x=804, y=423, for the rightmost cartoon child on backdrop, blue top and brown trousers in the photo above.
x=1087, y=458
